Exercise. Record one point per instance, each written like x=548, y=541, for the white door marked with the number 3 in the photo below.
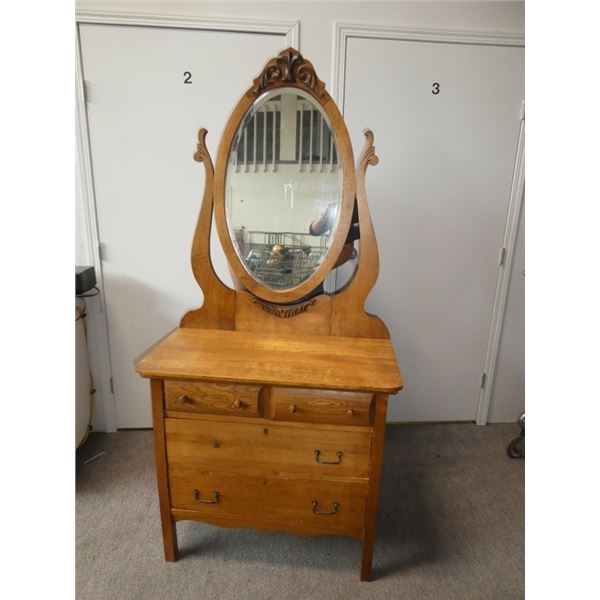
x=446, y=122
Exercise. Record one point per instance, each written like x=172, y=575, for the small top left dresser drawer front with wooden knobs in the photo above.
x=213, y=398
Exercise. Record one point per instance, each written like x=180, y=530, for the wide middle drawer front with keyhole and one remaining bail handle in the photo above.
x=270, y=448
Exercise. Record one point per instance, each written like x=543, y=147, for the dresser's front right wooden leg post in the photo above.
x=370, y=521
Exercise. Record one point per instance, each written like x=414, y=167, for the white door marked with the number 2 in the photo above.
x=143, y=120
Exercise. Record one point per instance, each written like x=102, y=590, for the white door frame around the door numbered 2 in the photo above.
x=99, y=346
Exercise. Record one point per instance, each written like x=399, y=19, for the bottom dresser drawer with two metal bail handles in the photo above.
x=301, y=506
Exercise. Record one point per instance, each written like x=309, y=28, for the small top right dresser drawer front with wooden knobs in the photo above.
x=321, y=406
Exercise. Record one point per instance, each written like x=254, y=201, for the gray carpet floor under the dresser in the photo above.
x=450, y=526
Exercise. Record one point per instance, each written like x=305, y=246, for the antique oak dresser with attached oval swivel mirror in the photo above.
x=269, y=401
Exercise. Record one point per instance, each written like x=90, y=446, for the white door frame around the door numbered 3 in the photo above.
x=342, y=31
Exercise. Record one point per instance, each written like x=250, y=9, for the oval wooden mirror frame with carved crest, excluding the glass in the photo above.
x=288, y=70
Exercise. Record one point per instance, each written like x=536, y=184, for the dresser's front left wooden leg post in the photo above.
x=160, y=454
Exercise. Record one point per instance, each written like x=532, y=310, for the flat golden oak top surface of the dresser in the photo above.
x=311, y=361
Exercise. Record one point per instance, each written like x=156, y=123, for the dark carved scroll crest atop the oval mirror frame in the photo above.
x=289, y=67
